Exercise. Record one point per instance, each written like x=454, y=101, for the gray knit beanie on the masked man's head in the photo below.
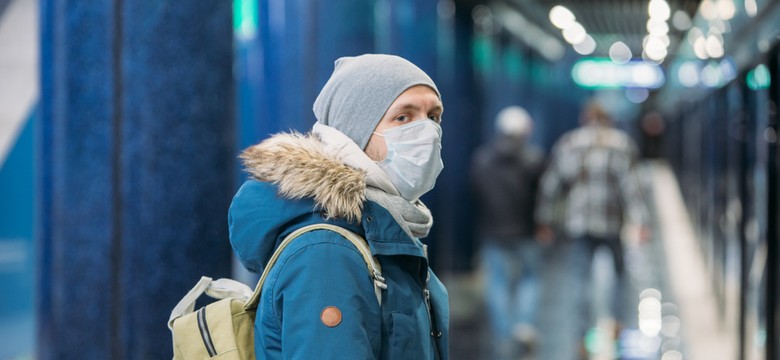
x=361, y=89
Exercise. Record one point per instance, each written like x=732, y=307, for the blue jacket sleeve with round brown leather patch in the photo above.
x=326, y=271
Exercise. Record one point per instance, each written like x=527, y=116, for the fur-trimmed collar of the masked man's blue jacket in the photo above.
x=302, y=168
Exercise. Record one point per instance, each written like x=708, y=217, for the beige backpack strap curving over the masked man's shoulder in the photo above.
x=373, y=265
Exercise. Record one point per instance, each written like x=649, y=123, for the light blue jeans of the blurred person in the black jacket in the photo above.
x=511, y=288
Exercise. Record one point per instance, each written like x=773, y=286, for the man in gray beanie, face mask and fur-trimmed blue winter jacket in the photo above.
x=374, y=150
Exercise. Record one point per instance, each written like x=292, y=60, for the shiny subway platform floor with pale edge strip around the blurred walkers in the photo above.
x=672, y=307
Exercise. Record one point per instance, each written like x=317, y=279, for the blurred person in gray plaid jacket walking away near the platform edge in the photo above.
x=591, y=173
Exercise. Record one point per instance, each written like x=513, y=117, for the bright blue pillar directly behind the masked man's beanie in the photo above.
x=296, y=45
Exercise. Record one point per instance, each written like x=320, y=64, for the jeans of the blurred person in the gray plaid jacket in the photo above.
x=581, y=259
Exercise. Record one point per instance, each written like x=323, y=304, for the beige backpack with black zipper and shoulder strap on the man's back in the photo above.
x=224, y=329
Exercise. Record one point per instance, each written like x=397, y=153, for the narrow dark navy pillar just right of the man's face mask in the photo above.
x=452, y=234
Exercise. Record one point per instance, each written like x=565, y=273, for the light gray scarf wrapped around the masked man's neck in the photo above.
x=414, y=218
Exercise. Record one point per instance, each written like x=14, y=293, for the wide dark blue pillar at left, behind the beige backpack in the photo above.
x=136, y=170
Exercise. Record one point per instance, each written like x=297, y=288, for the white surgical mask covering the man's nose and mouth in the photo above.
x=413, y=159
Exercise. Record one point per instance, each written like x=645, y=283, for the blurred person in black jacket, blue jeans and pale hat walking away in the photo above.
x=504, y=175
